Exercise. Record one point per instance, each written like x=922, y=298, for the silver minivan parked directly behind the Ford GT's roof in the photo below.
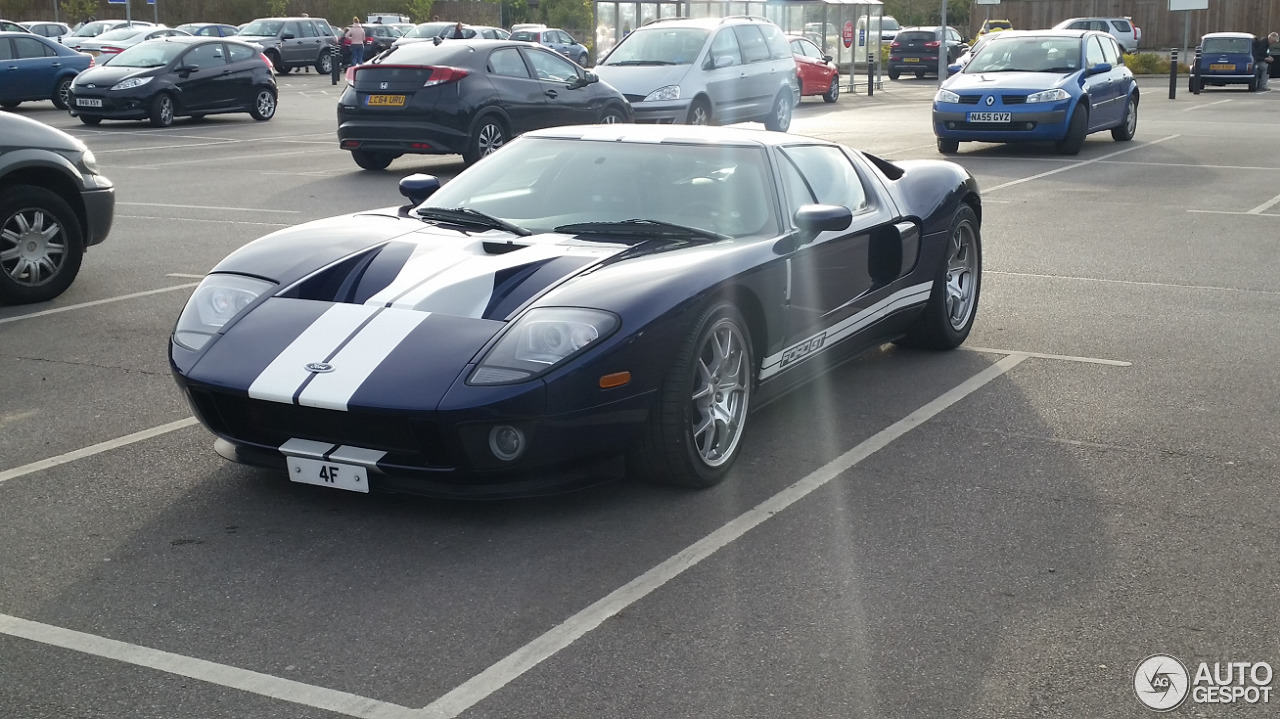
x=706, y=71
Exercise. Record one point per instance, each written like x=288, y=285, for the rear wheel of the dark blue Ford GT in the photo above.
x=953, y=304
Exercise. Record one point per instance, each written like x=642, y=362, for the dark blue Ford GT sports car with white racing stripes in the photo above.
x=587, y=295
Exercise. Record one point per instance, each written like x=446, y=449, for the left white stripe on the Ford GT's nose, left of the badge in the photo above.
x=286, y=374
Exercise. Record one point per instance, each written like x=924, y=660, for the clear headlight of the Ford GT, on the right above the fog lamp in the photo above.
x=541, y=341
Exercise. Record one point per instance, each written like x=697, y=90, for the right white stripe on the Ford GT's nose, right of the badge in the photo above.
x=358, y=360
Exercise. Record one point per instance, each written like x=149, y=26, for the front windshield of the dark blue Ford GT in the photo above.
x=545, y=184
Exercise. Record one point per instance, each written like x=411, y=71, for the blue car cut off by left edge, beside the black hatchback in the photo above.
x=38, y=68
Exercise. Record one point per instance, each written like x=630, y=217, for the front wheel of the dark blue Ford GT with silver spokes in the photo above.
x=696, y=429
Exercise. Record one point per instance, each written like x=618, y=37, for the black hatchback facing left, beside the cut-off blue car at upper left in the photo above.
x=161, y=80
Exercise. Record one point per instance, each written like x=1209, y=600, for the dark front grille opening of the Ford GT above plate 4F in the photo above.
x=272, y=424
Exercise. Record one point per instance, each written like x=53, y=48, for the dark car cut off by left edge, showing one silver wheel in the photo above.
x=54, y=207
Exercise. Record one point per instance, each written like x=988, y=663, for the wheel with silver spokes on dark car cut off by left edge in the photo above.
x=49, y=245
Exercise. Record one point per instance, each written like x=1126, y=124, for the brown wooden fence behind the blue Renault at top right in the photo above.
x=1162, y=29
